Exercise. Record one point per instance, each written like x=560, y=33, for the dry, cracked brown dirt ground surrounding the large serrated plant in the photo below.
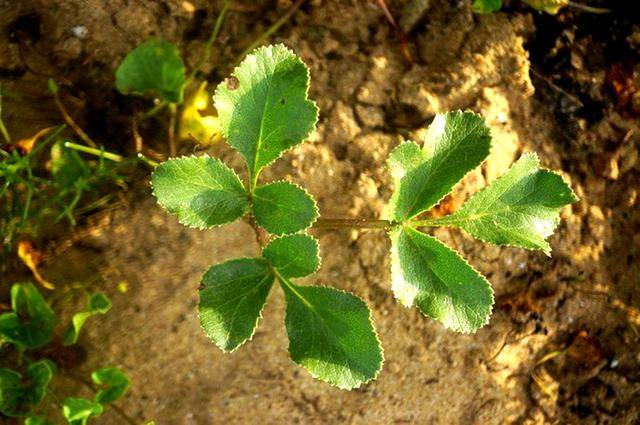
x=562, y=345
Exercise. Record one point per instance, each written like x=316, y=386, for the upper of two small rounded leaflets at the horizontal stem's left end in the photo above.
x=283, y=208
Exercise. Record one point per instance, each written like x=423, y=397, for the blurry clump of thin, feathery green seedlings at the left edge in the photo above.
x=47, y=183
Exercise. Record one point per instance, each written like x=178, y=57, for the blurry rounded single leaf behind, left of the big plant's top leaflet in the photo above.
x=153, y=68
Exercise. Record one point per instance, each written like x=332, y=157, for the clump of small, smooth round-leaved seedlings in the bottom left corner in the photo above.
x=27, y=330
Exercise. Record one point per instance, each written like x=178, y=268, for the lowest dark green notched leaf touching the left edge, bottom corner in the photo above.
x=17, y=395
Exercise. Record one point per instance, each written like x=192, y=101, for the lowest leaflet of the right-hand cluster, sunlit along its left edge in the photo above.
x=445, y=287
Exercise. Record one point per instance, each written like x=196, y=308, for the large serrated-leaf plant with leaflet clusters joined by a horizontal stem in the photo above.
x=264, y=111
